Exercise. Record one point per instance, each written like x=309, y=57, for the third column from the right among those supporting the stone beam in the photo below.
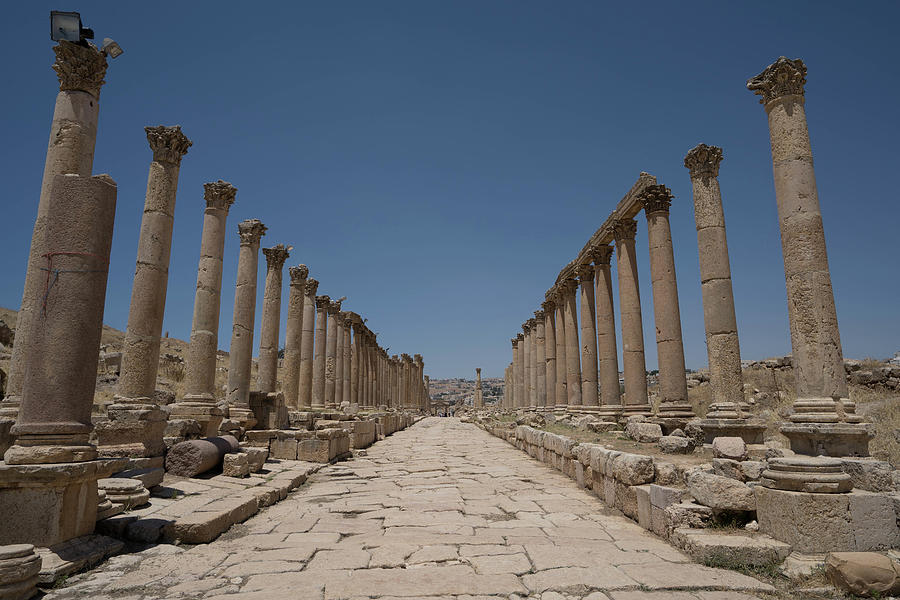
x=611, y=402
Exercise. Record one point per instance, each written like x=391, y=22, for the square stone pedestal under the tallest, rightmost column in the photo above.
x=829, y=439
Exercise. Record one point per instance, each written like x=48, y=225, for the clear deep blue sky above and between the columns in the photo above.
x=438, y=162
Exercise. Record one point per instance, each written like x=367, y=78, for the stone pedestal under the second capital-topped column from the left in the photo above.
x=133, y=430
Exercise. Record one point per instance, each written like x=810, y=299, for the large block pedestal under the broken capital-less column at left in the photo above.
x=61, y=499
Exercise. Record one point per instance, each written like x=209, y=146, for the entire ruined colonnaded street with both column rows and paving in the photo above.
x=304, y=454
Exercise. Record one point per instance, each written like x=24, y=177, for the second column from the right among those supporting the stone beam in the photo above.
x=636, y=402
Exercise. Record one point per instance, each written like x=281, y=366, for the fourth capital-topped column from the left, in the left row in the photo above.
x=240, y=354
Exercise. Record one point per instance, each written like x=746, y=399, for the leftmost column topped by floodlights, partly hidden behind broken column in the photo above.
x=73, y=133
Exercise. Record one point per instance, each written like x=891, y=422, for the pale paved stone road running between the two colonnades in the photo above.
x=441, y=510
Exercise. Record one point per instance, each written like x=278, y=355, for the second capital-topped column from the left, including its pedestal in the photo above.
x=136, y=424
